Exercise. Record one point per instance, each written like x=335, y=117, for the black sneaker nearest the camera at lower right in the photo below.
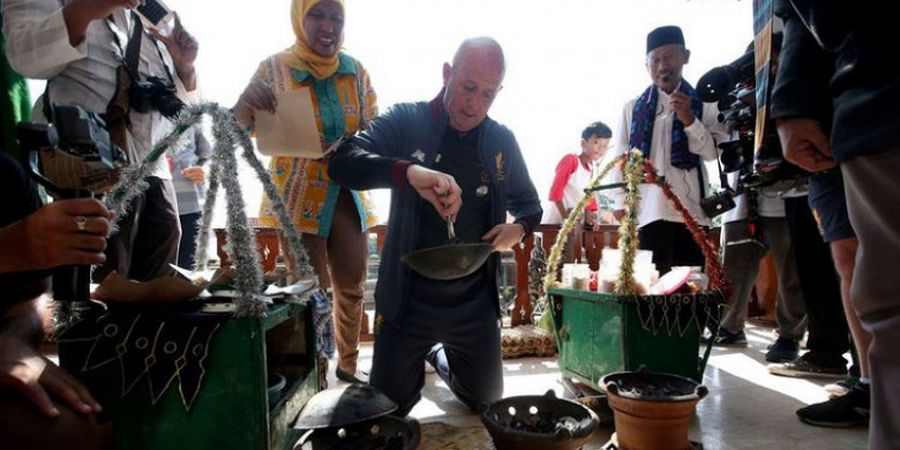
x=846, y=411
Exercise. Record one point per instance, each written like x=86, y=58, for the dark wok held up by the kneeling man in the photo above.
x=448, y=262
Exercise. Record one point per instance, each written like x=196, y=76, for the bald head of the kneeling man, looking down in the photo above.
x=473, y=81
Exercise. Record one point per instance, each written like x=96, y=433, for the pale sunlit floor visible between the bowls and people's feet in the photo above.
x=746, y=409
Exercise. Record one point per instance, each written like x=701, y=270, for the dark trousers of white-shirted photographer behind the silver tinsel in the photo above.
x=147, y=240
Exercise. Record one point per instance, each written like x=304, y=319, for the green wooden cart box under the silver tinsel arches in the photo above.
x=232, y=410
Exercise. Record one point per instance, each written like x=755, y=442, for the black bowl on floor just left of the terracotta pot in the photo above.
x=539, y=422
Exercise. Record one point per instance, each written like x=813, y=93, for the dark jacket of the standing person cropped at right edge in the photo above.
x=838, y=65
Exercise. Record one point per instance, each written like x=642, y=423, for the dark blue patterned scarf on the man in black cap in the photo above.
x=643, y=117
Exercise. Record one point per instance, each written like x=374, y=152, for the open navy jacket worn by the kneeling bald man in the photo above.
x=411, y=133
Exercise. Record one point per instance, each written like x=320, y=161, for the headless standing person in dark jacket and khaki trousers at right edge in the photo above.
x=839, y=56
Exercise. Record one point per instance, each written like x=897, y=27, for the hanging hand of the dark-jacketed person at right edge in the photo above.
x=805, y=144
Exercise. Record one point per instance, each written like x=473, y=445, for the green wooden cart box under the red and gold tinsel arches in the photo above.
x=603, y=333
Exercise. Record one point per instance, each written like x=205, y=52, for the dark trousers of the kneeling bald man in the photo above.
x=469, y=362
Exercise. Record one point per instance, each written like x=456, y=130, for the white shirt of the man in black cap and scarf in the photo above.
x=702, y=136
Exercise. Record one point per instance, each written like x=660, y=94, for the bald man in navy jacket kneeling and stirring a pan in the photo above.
x=448, y=153
